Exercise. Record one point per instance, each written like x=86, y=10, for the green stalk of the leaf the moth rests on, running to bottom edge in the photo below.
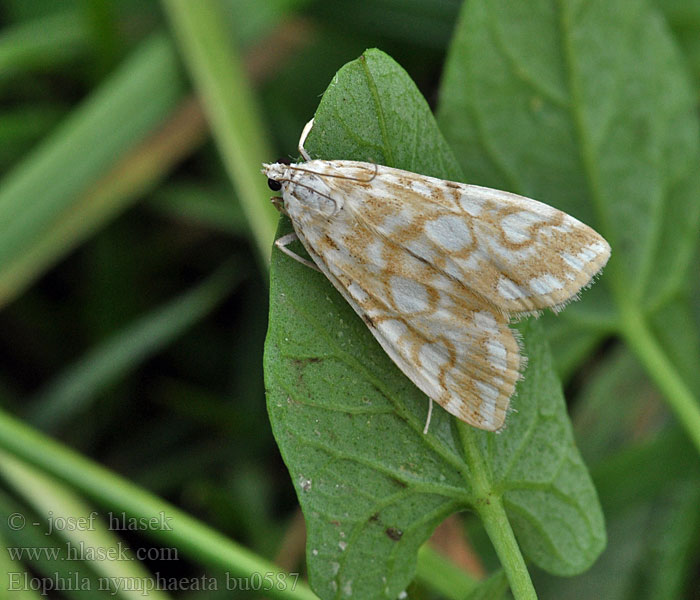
x=490, y=509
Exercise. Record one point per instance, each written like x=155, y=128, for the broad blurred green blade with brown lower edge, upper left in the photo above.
x=89, y=168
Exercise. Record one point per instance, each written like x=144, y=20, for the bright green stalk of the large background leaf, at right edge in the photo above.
x=641, y=340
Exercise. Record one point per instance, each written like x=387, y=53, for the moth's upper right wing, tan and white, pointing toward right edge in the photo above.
x=515, y=253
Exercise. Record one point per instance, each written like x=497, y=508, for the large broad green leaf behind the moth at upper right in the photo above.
x=585, y=106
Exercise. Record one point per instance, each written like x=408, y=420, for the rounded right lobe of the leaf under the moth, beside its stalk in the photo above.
x=549, y=496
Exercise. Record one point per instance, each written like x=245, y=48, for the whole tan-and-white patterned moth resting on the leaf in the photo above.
x=436, y=269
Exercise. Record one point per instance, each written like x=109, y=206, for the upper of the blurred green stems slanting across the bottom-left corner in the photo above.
x=191, y=537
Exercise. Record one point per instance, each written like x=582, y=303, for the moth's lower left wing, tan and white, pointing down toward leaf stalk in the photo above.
x=462, y=355
